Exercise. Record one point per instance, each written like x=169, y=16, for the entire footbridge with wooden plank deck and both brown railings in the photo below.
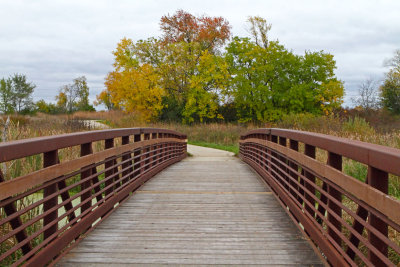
x=132, y=196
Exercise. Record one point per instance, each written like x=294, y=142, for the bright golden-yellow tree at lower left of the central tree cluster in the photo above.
x=136, y=89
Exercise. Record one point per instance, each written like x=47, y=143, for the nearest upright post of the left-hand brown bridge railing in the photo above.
x=49, y=159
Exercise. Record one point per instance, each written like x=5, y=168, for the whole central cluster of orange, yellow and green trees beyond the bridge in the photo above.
x=197, y=72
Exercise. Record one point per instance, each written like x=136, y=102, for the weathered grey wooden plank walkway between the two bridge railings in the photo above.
x=208, y=209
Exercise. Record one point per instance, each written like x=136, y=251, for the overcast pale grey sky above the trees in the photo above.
x=53, y=42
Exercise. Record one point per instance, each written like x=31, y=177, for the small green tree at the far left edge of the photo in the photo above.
x=16, y=94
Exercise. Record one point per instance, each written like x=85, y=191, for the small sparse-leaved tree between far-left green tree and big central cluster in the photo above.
x=74, y=97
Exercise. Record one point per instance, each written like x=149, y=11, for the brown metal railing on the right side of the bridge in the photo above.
x=351, y=222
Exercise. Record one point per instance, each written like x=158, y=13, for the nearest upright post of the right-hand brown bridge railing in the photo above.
x=379, y=180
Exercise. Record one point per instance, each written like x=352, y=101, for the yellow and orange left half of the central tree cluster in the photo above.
x=166, y=78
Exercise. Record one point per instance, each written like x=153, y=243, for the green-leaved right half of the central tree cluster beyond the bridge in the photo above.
x=269, y=82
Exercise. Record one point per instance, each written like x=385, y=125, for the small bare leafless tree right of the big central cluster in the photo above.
x=367, y=95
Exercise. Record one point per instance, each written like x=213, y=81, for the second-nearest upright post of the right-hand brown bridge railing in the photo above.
x=335, y=161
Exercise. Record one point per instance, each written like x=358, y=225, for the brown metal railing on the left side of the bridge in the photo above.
x=47, y=211
